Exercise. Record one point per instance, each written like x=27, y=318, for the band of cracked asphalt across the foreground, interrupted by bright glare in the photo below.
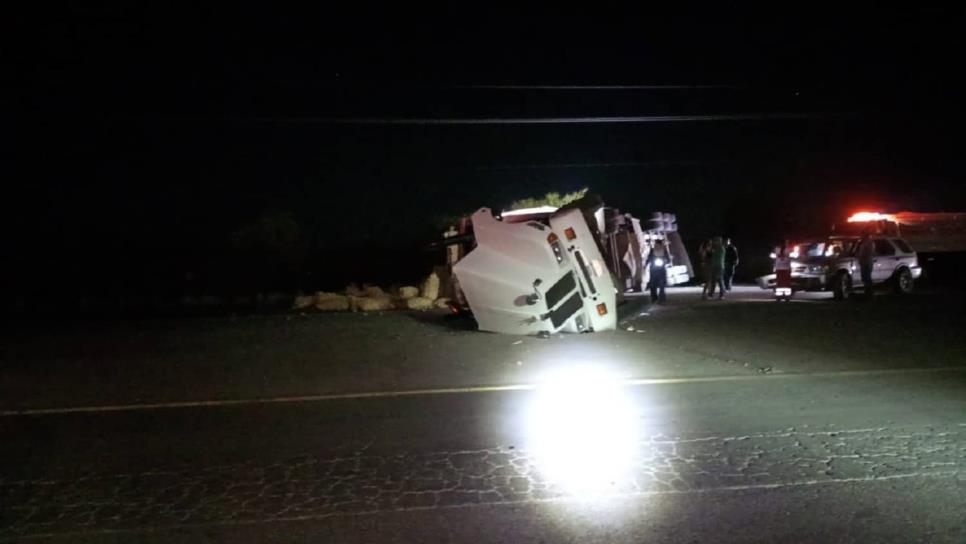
x=310, y=487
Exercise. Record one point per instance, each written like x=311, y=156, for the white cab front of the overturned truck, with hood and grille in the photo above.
x=527, y=277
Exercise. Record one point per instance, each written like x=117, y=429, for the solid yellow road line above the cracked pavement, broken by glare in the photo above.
x=452, y=391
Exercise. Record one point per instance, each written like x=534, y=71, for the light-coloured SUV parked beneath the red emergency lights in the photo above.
x=831, y=264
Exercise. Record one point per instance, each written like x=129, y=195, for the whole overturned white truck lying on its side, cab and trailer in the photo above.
x=548, y=270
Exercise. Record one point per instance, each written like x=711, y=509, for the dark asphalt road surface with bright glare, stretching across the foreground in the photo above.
x=742, y=420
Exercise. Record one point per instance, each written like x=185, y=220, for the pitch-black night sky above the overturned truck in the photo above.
x=144, y=138
